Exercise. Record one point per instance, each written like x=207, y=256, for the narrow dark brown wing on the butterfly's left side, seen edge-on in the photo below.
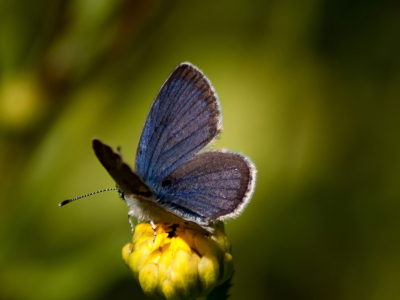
x=126, y=179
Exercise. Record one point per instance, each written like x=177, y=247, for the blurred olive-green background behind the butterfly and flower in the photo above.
x=309, y=90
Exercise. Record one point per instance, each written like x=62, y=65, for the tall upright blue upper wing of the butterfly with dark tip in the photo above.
x=184, y=118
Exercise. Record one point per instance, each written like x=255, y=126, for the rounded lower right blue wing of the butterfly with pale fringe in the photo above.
x=214, y=185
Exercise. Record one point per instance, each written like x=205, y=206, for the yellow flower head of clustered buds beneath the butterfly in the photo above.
x=181, y=263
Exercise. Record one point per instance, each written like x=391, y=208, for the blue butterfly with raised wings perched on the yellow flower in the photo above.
x=174, y=181
